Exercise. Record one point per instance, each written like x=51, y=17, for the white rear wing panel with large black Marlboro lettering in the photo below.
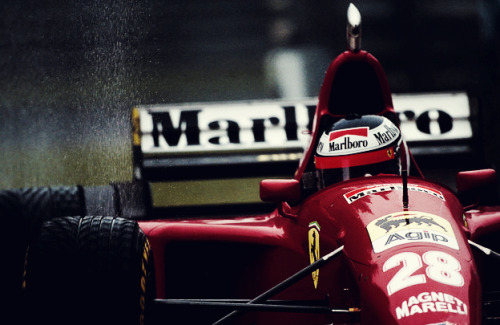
x=277, y=125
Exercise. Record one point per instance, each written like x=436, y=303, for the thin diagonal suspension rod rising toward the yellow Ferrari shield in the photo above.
x=286, y=283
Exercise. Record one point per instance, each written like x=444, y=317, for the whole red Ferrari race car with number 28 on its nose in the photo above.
x=356, y=235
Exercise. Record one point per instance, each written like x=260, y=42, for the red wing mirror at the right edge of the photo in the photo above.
x=477, y=186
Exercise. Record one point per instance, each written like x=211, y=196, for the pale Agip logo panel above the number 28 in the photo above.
x=410, y=227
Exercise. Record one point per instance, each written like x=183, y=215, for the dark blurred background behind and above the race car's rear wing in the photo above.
x=70, y=71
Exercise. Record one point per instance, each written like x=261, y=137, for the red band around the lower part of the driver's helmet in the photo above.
x=360, y=159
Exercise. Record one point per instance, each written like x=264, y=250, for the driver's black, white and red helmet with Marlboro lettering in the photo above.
x=357, y=146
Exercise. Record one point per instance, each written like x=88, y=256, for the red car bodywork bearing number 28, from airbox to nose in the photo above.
x=399, y=264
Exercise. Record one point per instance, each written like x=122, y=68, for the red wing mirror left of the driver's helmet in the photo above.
x=280, y=190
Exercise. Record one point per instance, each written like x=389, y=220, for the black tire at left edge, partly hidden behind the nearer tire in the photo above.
x=21, y=213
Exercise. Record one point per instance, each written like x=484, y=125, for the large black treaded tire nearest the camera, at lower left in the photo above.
x=91, y=270
